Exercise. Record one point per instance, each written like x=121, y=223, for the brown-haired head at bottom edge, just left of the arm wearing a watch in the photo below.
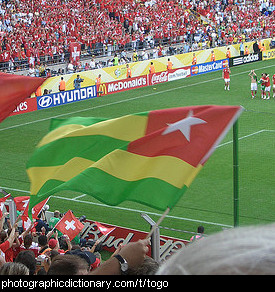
x=68, y=265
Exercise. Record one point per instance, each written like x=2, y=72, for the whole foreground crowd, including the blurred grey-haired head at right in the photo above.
x=41, y=250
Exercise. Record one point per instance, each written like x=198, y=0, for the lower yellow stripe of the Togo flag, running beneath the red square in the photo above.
x=122, y=165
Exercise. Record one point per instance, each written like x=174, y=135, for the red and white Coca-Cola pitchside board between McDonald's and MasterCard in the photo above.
x=169, y=75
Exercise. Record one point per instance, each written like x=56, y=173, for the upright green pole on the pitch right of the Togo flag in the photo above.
x=236, y=174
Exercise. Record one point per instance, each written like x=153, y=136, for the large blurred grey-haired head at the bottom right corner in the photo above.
x=239, y=251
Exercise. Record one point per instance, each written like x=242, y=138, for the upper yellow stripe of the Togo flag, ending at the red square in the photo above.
x=134, y=127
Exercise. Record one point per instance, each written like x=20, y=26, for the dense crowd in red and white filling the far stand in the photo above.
x=40, y=31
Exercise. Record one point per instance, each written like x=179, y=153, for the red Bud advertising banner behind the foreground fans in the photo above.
x=122, y=235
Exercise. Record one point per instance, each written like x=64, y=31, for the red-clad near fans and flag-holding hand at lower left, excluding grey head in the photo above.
x=40, y=249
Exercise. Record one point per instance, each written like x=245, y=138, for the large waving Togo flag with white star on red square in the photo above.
x=150, y=157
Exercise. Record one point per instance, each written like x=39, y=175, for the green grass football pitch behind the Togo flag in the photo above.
x=209, y=201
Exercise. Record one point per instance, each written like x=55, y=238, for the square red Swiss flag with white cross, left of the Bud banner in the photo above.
x=69, y=225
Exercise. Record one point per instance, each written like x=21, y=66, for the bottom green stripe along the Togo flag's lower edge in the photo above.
x=146, y=191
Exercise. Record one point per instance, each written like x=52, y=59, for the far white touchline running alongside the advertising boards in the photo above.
x=125, y=100
